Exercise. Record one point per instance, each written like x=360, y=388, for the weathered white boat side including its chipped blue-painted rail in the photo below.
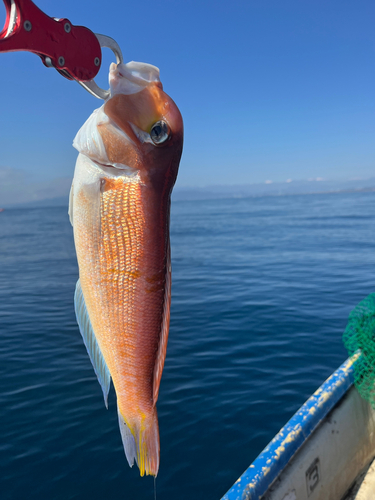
x=320, y=452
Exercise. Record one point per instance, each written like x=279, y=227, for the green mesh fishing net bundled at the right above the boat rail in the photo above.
x=359, y=336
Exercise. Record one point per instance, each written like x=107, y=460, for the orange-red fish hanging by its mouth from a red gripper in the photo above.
x=129, y=154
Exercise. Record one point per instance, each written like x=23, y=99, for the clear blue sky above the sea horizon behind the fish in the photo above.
x=269, y=89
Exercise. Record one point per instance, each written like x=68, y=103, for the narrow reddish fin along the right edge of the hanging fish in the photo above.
x=162, y=350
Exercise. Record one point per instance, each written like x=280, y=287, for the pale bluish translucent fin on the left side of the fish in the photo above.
x=91, y=343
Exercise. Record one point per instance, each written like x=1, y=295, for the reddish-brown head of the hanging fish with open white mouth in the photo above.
x=142, y=132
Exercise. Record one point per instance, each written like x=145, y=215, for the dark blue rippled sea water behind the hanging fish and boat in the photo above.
x=262, y=288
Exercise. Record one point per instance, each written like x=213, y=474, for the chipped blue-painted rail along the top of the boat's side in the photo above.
x=256, y=480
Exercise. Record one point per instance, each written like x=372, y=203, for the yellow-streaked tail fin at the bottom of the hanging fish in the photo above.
x=141, y=443
